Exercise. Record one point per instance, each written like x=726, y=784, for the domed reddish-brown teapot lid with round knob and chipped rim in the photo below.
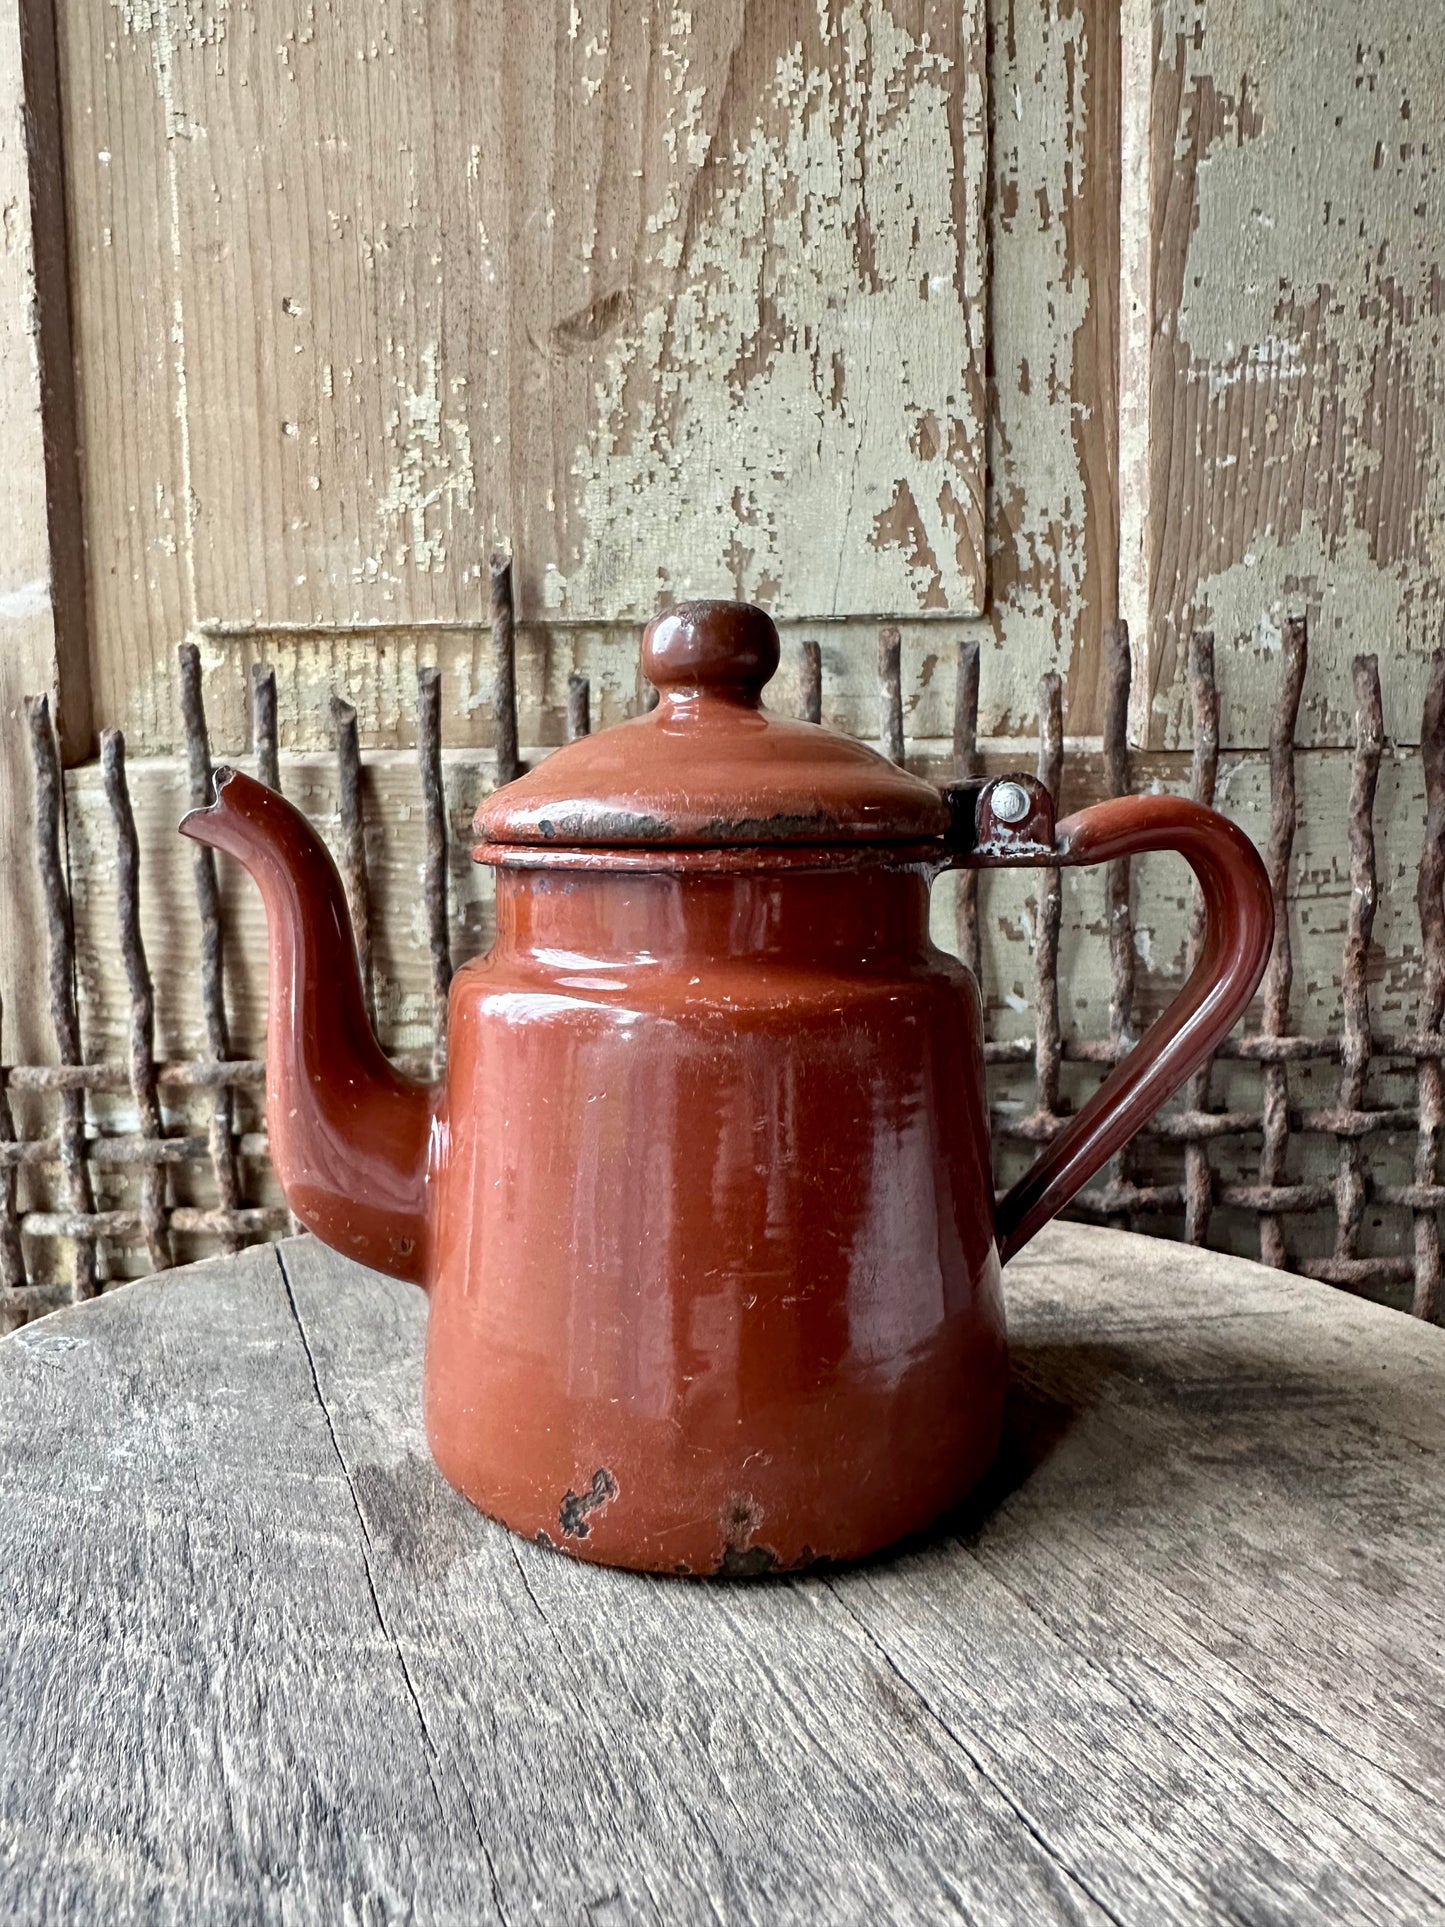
x=710, y=764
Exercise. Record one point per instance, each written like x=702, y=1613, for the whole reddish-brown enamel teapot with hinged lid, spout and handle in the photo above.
x=704, y=1207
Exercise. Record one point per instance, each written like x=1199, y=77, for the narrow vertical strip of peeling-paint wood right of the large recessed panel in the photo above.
x=1053, y=271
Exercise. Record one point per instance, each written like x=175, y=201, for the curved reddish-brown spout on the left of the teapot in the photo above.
x=350, y=1136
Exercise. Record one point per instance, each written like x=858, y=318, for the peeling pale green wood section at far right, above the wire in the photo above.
x=1284, y=404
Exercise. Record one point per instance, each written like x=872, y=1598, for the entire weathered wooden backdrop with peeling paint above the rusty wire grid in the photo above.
x=302, y=435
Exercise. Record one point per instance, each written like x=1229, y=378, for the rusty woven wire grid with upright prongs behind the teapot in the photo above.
x=1192, y=1165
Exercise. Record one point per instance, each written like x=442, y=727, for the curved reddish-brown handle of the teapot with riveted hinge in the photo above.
x=1011, y=824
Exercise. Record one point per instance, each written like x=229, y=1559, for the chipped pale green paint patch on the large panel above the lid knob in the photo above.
x=793, y=411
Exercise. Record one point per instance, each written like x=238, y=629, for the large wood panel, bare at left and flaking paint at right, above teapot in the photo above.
x=671, y=302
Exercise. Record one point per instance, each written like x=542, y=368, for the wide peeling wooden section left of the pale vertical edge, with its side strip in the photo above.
x=350, y=311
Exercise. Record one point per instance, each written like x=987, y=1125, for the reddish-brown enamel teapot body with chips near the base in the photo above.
x=712, y=1265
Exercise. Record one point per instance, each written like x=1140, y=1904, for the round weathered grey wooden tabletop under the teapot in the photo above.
x=1182, y=1662
